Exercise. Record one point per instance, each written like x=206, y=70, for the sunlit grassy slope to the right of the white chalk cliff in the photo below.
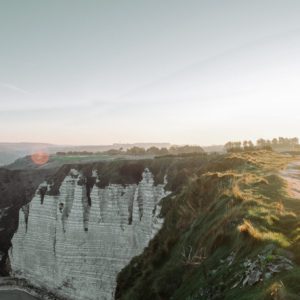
x=234, y=206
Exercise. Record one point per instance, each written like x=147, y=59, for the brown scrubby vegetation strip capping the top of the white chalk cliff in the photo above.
x=177, y=168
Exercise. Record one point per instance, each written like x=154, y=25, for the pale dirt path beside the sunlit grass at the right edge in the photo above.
x=292, y=176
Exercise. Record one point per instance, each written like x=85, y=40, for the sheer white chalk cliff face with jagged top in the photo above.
x=76, y=250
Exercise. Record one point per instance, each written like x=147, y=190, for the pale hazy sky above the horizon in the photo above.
x=99, y=72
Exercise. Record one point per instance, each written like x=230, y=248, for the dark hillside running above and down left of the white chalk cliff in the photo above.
x=18, y=187
